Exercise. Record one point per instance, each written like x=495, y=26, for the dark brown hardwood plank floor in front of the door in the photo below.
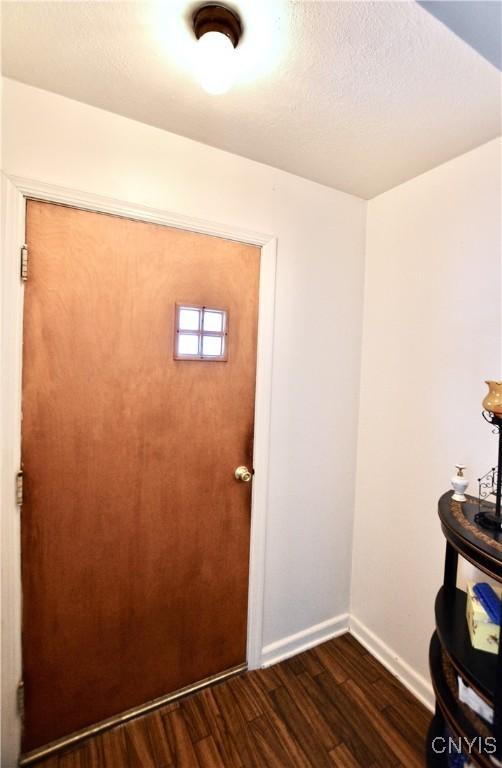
x=333, y=706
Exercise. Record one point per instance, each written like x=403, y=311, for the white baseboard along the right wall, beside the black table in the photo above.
x=419, y=686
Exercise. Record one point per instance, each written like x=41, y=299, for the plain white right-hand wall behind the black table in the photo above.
x=431, y=337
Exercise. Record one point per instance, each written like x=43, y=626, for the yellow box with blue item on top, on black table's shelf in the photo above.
x=483, y=613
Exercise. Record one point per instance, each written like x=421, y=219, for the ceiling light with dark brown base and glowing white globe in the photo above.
x=218, y=30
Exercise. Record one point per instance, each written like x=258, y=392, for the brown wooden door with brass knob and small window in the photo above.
x=135, y=534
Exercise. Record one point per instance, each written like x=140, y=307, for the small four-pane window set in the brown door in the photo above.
x=201, y=333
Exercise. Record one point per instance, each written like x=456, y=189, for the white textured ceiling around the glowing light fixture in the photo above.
x=356, y=95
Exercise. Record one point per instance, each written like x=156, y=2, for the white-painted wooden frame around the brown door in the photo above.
x=14, y=193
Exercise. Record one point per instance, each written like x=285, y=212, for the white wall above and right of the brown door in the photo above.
x=321, y=239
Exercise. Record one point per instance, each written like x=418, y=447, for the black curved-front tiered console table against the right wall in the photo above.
x=451, y=652
